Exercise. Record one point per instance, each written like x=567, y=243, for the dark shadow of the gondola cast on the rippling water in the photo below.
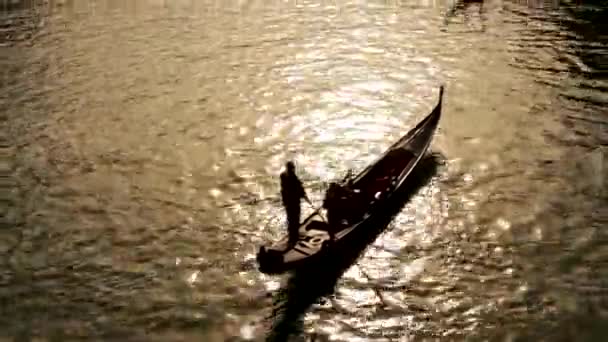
x=308, y=284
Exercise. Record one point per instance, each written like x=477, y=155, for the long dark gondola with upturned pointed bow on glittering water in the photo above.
x=371, y=189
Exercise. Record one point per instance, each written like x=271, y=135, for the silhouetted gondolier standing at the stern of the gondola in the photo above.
x=292, y=191
